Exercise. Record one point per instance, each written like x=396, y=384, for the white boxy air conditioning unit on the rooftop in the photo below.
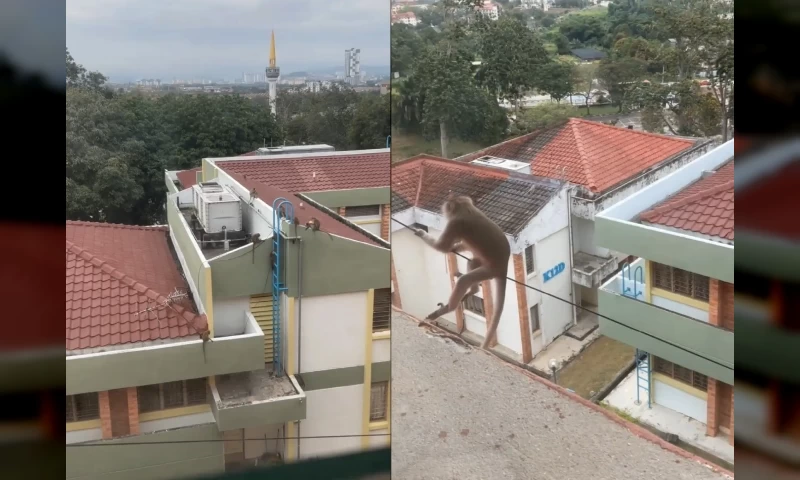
x=218, y=209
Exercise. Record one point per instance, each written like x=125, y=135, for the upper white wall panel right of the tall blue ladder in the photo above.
x=332, y=331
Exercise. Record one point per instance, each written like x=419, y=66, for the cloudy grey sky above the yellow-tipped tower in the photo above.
x=128, y=39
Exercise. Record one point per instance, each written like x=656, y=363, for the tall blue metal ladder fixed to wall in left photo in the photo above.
x=278, y=285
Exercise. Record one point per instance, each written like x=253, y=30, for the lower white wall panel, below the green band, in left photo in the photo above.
x=332, y=411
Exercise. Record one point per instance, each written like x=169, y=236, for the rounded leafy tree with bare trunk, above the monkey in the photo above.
x=445, y=80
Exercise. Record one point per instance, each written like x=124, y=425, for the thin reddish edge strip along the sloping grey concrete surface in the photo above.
x=635, y=429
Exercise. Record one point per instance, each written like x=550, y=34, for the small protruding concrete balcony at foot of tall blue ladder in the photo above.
x=259, y=397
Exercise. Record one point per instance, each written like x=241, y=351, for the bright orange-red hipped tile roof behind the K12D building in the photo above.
x=591, y=154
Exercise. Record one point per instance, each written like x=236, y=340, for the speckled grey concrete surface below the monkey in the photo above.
x=460, y=413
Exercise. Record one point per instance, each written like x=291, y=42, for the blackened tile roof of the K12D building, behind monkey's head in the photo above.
x=510, y=199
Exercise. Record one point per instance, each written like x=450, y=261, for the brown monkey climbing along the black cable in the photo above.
x=469, y=229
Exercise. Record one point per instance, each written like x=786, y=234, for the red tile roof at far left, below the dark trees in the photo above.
x=115, y=271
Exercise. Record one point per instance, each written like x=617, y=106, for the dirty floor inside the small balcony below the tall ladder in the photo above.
x=244, y=388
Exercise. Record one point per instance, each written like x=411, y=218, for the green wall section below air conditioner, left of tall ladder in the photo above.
x=243, y=272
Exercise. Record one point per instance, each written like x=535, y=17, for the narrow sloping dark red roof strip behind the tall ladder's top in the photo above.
x=328, y=223
